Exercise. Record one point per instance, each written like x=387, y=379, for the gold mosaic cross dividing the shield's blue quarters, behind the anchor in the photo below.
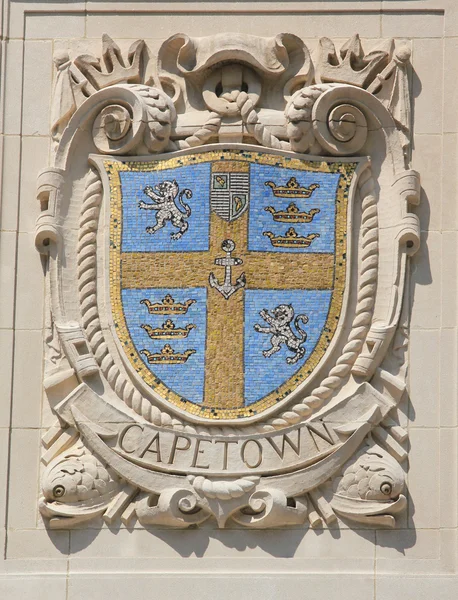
x=224, y=373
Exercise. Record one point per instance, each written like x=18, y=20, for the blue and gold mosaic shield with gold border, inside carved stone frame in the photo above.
x=228, y=272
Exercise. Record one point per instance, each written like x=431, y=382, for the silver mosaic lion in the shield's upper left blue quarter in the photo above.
x=163, y=194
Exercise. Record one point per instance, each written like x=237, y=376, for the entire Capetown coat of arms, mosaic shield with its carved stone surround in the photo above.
x=227, y=236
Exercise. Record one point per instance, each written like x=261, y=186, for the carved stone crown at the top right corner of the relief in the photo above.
x=354, y=67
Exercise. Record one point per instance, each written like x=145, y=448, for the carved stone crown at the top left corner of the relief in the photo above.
x=114, y=68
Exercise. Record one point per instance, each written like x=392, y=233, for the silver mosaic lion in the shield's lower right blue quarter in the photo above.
x=281, y=332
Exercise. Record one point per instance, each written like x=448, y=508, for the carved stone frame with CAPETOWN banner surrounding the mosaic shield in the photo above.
x=333, y=447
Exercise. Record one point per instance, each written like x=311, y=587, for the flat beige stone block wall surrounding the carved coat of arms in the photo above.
x=417, y=559
